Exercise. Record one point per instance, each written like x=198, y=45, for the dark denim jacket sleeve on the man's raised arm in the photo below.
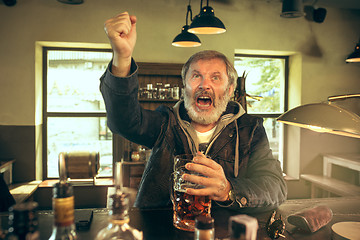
x=125, y=116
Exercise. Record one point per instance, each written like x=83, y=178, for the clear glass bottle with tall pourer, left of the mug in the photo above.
x=118, y=226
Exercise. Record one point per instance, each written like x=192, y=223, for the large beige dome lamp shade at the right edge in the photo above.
x=323, y=117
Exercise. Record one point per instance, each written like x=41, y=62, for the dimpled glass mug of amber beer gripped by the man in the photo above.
x=186, y=207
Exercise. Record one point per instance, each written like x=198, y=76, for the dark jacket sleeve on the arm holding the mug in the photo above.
x=262, y=187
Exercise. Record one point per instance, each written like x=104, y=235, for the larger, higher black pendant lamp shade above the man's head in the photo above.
x=206, y=23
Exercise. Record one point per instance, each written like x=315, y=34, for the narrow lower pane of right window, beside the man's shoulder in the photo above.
x=274, y=133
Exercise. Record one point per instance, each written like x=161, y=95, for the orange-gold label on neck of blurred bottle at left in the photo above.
x=63, y=211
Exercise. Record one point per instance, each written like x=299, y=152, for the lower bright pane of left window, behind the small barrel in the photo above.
x=79, y=134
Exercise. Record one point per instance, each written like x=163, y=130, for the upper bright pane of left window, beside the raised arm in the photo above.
x=73, y=80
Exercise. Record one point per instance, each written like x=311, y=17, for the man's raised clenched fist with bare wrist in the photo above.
x=121, y=31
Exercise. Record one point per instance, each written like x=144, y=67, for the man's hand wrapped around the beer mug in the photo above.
x=216, y=185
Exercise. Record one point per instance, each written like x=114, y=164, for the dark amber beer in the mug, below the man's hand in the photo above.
x=187, y=207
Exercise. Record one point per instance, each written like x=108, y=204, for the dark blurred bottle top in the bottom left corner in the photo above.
x=23, y=223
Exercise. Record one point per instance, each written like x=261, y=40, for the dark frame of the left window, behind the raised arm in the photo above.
x=47, y=114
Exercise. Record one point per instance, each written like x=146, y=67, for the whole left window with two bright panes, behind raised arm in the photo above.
x=74, y=111
